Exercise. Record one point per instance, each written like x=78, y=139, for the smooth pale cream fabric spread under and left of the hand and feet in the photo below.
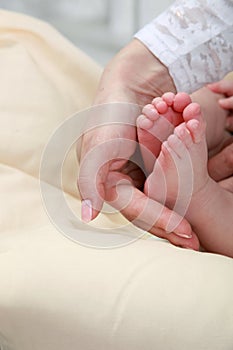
x=56, y=294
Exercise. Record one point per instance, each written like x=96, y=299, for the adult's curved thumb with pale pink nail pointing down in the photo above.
x=94, y=167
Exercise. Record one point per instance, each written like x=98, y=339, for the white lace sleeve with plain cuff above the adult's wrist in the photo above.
x=194, y=39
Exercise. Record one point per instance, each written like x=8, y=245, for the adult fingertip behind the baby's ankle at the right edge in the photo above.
x=220, y=166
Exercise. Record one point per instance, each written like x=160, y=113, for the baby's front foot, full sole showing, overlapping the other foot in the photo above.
x=180, y=171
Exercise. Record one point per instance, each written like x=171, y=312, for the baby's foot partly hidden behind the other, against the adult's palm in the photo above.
x=157, y=122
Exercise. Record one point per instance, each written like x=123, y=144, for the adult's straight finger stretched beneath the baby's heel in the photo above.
x=148, y=214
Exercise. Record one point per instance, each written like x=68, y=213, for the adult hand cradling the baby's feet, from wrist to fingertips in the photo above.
x=133, y=76
